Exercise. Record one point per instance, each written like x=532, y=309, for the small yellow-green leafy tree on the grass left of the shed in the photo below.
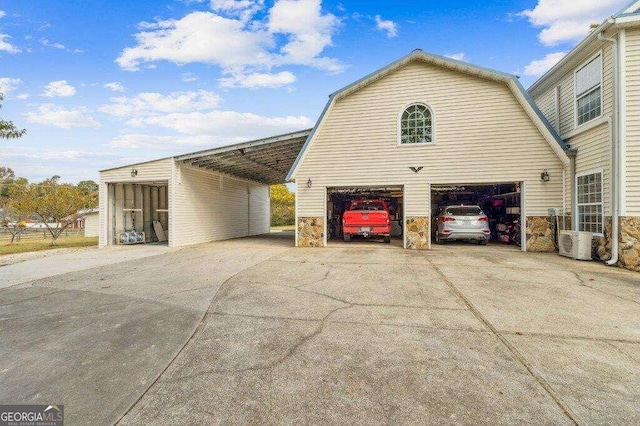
x=59, y=205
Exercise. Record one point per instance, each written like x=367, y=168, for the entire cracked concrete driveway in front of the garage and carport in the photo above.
x=365, y=334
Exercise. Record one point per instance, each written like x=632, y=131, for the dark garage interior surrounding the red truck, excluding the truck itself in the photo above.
x=339, y=199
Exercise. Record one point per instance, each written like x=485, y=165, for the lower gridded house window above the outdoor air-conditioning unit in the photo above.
x=590, y=206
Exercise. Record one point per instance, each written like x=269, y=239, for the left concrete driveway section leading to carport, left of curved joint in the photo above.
x=96, y=339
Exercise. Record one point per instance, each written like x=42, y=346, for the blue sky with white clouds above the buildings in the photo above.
x=99, y=84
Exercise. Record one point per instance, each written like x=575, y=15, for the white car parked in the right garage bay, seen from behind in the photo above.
x=462, y=223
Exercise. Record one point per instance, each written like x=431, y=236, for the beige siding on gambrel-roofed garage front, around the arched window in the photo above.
x=482, y=135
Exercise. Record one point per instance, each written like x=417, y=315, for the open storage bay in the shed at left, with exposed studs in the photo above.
x=138, y=213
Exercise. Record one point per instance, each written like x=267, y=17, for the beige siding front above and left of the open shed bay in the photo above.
x=158, y=170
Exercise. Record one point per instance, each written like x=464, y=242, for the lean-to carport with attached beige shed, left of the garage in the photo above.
x=203, y=196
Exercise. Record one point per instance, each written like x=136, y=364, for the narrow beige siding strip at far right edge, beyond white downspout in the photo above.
x=633, y=123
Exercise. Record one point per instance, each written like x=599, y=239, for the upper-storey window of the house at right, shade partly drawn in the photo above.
x=588, y=82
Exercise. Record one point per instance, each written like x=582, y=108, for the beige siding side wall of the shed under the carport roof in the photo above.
x=211, y=207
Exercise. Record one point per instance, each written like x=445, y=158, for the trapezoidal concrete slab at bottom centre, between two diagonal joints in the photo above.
x=343, y=373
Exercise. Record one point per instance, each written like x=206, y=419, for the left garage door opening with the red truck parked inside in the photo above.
x=374, y=215
